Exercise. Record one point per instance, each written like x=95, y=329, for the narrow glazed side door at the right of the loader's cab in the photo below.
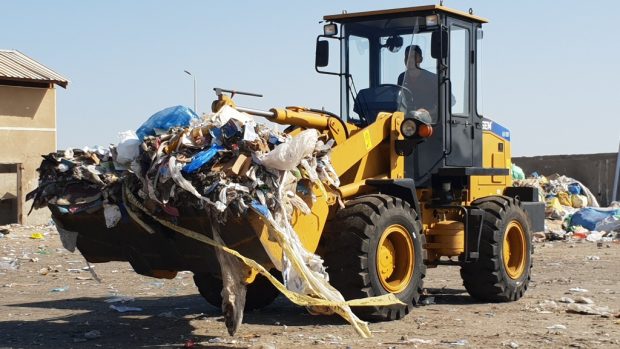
x=461, y=130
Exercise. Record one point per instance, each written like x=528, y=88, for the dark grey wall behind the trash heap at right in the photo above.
x=595, y=171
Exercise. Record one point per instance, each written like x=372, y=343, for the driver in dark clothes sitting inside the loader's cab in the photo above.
x=421, y=82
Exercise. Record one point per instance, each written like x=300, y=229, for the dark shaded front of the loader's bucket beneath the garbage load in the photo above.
x=164, y=250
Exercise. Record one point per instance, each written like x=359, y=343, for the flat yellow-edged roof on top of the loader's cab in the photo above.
x=347, y=17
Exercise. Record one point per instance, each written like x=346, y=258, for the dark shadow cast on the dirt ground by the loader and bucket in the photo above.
x=164, y=322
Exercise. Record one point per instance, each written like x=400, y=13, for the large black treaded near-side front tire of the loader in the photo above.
x=350, y=246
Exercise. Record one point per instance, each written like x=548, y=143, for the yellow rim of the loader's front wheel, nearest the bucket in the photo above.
x=395, y=258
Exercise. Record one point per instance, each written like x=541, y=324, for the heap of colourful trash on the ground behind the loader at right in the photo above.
x=571, y=210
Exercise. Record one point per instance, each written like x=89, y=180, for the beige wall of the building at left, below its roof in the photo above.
x=27, y=130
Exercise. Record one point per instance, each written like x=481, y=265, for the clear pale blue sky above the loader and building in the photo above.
x=551, y=72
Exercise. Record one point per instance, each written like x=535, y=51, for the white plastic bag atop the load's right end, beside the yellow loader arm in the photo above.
x=287, y=156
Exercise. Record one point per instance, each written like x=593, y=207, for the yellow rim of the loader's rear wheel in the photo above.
x=515, y=250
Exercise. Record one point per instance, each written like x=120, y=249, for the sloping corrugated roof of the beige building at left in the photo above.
x=16, y=66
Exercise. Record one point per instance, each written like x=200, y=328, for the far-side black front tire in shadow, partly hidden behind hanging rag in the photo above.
x=260, y=293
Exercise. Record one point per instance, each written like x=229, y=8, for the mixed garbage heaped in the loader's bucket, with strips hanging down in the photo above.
x=225, y=164
